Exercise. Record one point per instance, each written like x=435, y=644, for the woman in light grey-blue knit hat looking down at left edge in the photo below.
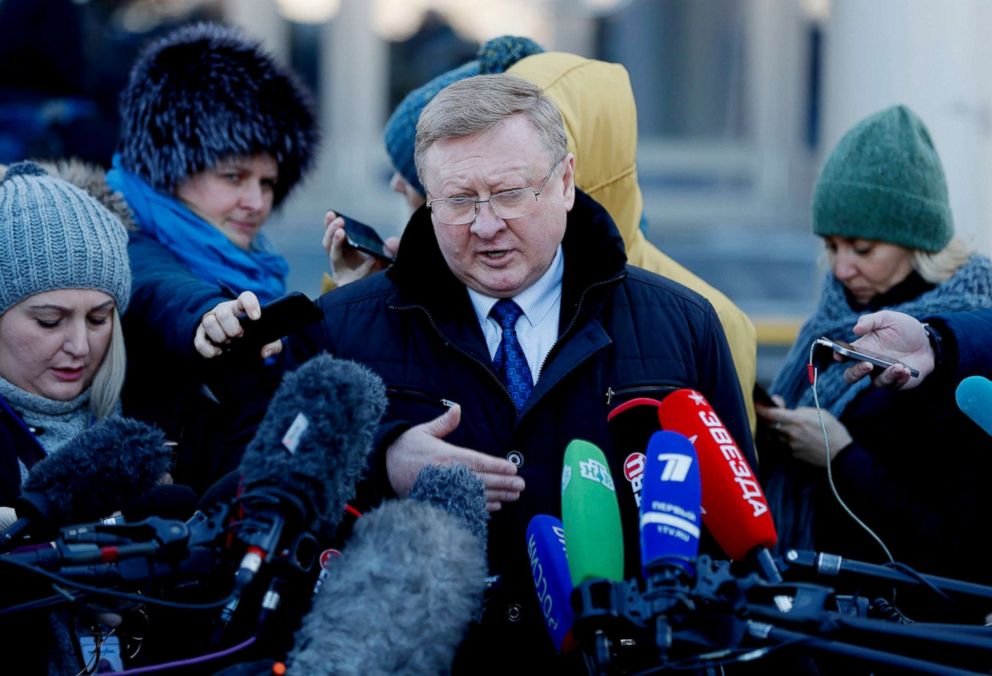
x=64, y=280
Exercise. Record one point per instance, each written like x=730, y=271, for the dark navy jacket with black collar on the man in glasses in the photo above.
x=624, y=332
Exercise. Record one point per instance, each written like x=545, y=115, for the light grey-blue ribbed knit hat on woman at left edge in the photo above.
x=54, y=235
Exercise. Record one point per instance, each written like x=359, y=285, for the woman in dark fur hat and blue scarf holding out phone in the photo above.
x=214, y=135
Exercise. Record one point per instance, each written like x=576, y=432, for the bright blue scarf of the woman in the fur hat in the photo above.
x=198, y=244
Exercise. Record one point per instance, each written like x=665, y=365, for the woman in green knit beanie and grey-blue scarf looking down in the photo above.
x=881, y=206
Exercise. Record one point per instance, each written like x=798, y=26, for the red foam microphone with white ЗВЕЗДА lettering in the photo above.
x=735, y=510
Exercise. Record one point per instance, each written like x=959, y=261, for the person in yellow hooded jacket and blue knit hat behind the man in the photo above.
x=597, y=103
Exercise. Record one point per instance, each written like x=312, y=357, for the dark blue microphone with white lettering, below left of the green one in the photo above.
x=549, y=567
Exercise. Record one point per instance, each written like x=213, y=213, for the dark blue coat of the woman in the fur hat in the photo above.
x=210, y=407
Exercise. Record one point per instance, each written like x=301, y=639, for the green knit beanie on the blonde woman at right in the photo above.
x=884, y=182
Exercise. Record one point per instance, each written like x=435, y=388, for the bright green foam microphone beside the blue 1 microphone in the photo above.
x=590, y=515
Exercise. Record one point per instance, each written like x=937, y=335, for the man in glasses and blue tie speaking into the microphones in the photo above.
x=504, y=222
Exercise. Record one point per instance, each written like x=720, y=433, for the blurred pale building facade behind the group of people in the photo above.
x=738, y=101
